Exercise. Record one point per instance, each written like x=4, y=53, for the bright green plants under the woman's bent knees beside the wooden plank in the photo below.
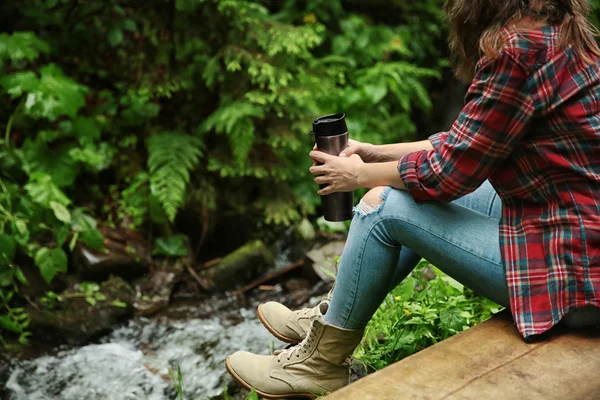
x=419, y=313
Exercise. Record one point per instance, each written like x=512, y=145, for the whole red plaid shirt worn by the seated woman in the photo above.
x=531, y=125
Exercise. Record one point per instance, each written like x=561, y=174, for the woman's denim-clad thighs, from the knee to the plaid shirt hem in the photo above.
x=460, y=238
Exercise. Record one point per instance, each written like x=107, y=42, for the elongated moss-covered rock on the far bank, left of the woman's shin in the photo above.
x=239, y=266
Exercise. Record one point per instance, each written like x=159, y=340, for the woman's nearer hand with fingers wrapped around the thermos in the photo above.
x=341, y=174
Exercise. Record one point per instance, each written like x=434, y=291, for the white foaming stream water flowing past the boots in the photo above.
x=133, y=361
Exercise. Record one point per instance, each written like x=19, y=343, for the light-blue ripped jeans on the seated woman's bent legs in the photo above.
x=460, y=238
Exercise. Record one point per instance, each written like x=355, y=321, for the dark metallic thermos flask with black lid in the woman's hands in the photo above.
x=331, y=137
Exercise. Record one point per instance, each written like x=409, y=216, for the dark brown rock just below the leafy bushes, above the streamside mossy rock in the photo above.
x=126, y=255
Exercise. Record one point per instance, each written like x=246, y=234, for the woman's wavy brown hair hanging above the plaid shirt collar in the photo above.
x=475, y=27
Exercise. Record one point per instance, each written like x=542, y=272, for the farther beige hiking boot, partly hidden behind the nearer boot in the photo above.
x=287, y=325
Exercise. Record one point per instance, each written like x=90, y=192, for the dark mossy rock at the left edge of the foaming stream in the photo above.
x=74, y=320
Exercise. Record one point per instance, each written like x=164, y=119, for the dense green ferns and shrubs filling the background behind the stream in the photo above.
x=123, y=115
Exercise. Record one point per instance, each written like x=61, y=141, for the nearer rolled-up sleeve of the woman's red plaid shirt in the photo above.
x=497, y=111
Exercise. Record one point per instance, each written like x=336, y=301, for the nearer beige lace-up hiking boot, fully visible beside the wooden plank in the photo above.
x=314, y=367
